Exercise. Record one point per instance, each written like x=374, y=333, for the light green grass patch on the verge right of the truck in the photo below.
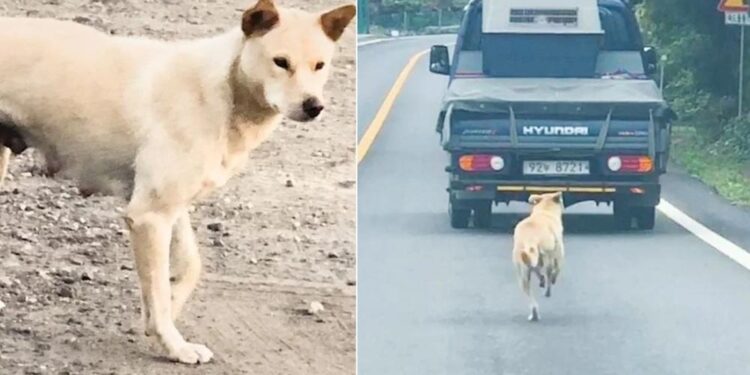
x=728, y=174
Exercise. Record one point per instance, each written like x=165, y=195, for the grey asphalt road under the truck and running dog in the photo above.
x=433, y=300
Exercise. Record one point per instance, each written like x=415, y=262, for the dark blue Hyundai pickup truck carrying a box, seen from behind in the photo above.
x=552, y=96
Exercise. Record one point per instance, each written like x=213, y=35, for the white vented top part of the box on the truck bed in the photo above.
x=541, y=16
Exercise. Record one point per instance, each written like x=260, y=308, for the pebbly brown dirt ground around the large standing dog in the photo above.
x=277, y=238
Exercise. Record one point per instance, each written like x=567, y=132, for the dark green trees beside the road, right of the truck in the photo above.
x=702, y=69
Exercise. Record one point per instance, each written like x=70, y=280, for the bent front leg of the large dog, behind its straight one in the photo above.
x=185, y=263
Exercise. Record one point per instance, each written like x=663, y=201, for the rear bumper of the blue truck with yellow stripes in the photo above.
x=636, y=193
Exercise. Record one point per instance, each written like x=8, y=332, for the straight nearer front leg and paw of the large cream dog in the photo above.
x=150, y=233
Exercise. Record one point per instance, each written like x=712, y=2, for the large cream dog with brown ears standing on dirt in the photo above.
x=161, y=123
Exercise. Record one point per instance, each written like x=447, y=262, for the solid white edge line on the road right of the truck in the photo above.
x=708, y=236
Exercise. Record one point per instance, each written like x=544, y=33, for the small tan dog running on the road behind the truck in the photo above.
x=538, y=246
